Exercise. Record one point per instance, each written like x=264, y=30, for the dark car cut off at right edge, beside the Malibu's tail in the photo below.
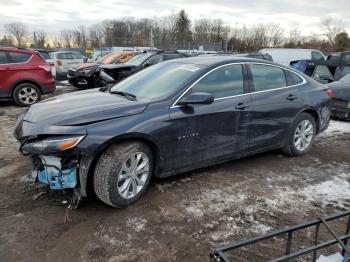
x=341, y=98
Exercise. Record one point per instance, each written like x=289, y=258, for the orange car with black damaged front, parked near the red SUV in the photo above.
x=81, y=75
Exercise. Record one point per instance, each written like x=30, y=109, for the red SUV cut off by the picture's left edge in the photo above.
x=24, y=76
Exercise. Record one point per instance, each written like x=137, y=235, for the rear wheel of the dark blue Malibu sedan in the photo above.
x=292, y=147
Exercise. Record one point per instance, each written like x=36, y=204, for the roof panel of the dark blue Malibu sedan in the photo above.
x=216, y=60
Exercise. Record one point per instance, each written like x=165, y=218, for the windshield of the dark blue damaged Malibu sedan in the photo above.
x=157, y=81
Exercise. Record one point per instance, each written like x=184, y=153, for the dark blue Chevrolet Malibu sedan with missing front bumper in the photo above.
x=170, y=118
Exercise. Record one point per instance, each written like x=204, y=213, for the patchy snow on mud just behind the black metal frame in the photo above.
x=284, y=194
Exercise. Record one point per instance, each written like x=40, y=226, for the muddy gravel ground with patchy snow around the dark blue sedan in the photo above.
x=179, y=219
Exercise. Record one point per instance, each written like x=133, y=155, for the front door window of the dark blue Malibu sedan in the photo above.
x=223, y=82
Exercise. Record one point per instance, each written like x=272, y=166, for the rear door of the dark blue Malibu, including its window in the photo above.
x=276, y=101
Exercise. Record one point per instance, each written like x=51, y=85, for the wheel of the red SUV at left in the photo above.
x=26, y=94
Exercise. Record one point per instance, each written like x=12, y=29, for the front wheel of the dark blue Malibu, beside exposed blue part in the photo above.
x=110, y=176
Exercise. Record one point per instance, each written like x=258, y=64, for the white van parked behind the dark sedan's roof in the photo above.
x=286, y=55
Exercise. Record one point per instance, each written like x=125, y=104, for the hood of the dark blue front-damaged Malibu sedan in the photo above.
x=82, y=108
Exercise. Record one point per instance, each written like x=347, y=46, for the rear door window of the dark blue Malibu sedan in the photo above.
x=267, y=77
